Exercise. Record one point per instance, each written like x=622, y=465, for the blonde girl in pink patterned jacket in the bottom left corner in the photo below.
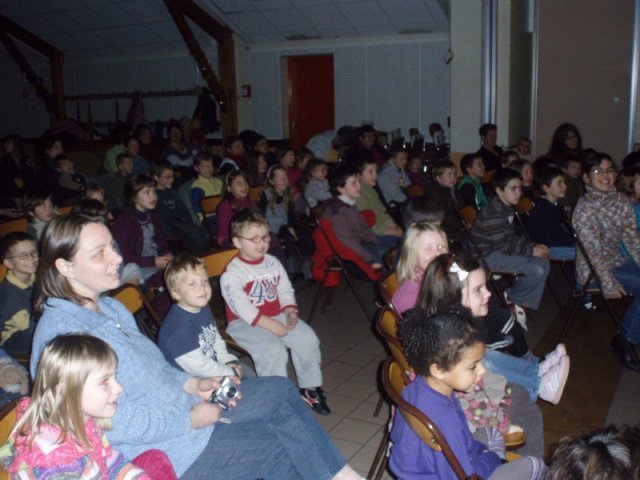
x=59, y=432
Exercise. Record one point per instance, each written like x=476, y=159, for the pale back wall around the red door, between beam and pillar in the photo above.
x=398, y=82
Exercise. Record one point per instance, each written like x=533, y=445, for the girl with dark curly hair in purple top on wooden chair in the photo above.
x=446, y=351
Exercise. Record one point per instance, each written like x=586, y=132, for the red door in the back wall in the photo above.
x=311, y=97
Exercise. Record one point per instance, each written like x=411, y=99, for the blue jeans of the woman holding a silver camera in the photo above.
x=272, y=435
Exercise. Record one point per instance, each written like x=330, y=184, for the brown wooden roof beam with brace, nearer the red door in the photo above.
x=224, y=89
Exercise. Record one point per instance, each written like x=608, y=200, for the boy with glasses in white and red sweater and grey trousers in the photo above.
x=262, y=311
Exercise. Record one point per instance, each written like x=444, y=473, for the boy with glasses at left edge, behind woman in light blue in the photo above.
x=19, y=253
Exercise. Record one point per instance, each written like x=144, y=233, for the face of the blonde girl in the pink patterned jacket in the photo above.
x=100, y=393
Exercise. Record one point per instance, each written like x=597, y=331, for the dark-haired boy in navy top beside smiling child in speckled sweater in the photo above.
x=545, y=222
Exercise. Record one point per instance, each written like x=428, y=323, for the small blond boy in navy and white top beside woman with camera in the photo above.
x=188, y=337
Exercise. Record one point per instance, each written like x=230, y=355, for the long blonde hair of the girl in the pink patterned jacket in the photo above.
x=56, y=399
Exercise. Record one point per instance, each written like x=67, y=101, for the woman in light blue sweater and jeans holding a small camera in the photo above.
x=269, y=433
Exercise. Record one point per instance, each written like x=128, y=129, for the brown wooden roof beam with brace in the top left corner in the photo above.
x=54, y=103
